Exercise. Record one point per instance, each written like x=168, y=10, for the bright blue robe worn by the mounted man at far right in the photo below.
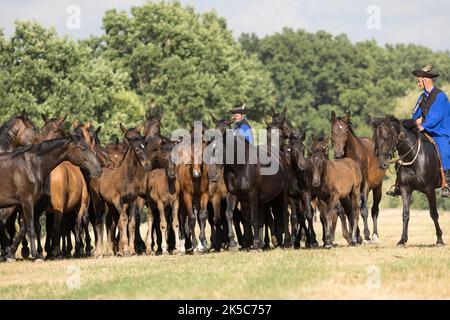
x=435, y=109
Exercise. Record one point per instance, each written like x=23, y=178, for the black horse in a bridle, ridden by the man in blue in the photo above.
x=419, y=168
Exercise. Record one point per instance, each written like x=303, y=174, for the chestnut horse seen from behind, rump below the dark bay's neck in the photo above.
x=68, y=195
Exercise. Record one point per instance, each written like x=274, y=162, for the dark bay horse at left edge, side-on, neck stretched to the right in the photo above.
x=25, y=170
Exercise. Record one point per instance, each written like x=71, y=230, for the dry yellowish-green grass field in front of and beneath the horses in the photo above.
x=419, y=271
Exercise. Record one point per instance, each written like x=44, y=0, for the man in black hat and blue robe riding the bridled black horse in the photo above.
x=432, y=115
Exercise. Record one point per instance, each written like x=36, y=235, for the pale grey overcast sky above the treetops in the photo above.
x=400, y=21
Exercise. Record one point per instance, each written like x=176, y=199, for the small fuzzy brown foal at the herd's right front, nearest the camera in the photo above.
x=332, y=189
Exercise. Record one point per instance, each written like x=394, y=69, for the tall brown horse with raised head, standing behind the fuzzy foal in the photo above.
x=362, y=150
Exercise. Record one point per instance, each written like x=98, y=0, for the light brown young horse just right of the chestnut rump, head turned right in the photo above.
x=119, y=188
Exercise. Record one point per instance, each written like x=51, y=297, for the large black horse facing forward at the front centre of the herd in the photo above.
x=250, y=186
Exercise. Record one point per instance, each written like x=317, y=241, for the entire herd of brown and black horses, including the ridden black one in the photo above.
x=78, y=182
